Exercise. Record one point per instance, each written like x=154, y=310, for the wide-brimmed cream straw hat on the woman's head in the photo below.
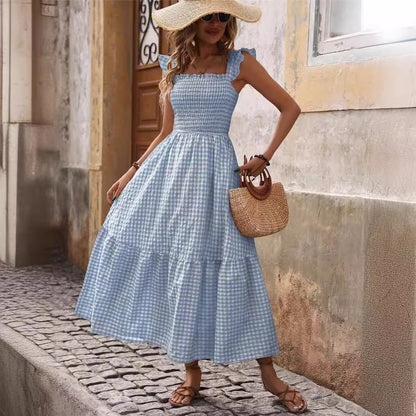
x=181, y=14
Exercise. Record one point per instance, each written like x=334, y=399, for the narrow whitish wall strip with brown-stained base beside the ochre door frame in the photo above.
x=76, y=148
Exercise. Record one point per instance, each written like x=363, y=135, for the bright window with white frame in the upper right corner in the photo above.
x=352, y=24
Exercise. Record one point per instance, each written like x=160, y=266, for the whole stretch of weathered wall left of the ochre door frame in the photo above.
x=45, y=118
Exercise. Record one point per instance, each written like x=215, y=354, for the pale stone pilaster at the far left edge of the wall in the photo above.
x=16, y=106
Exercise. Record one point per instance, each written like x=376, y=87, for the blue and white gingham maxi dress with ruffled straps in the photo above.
x=169, y=266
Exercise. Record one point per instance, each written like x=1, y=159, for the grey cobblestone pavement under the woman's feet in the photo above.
x=137, y=378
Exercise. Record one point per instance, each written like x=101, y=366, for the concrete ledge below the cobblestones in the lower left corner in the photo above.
x=33, y=383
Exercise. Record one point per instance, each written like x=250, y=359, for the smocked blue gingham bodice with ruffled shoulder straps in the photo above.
x=205, y=102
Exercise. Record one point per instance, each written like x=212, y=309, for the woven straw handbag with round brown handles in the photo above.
x=259, y=211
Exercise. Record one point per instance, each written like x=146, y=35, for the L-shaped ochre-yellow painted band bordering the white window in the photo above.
x=367, y=78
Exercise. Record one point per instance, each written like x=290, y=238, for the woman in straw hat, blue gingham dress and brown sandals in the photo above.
x=169, y=266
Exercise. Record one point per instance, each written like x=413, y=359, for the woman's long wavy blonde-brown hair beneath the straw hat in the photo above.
x=184, y=46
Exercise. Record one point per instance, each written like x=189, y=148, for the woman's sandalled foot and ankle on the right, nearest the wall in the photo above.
x=290, y=397
